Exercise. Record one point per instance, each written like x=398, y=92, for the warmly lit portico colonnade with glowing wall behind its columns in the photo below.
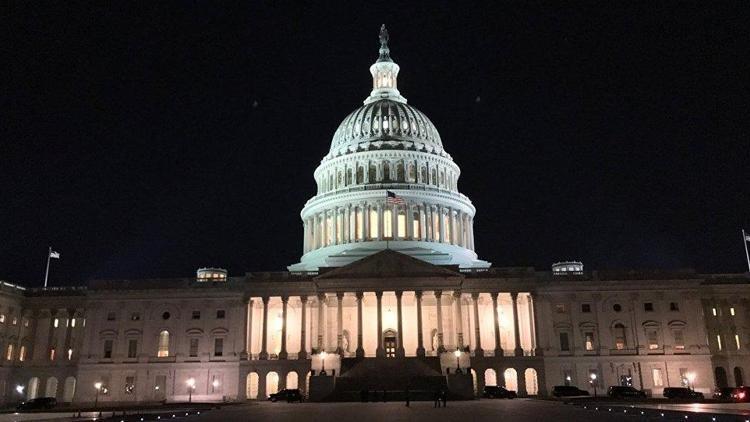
x=463, y=317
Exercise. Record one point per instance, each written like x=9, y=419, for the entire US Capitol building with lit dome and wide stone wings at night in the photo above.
x=389, y=292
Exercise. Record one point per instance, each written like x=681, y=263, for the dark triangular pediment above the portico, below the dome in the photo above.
x=388, y=264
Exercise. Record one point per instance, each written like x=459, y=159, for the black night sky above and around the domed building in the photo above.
x=146, y=140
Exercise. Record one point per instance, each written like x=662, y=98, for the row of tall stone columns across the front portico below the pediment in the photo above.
x=400, y=352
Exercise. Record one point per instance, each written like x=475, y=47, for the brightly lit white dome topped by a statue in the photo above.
x=387, y=183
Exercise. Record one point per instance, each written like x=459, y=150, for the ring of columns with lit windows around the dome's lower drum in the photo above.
x=352, y=223
